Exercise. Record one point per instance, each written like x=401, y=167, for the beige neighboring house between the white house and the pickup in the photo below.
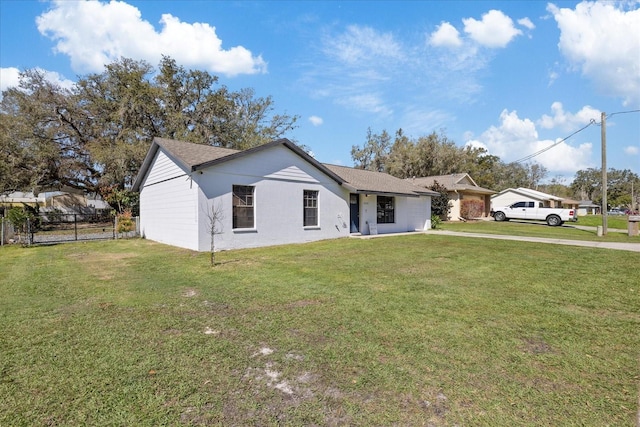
x=460, y=187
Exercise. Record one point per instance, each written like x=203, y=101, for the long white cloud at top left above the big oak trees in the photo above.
x=93, y=34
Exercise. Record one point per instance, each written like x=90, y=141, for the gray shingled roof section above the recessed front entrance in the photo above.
x=364, y=181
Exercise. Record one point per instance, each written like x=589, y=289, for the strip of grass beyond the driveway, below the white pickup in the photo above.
x=584, y=229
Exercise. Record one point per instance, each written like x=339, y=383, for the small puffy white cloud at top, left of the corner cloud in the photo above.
x=494, y=30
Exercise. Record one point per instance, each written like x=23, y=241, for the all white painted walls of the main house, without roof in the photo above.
x=175, y=206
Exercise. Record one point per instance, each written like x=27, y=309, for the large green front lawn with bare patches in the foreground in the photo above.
x=406, y=330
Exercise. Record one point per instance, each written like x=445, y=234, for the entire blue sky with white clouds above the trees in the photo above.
x=512, y=76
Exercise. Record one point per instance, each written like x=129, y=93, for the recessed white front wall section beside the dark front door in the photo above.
x=410, y=214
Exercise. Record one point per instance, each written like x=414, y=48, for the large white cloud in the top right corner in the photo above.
x=602, y=40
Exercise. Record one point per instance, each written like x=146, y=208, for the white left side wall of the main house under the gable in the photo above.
x=168, y=204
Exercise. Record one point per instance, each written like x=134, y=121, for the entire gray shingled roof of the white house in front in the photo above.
x=193, y=157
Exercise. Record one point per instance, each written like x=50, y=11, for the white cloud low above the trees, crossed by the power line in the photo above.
x=516, y=138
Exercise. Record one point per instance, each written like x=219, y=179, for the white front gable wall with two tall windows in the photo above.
x=279, y=176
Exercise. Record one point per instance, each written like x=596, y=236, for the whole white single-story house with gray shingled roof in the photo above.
x=268, y=195
